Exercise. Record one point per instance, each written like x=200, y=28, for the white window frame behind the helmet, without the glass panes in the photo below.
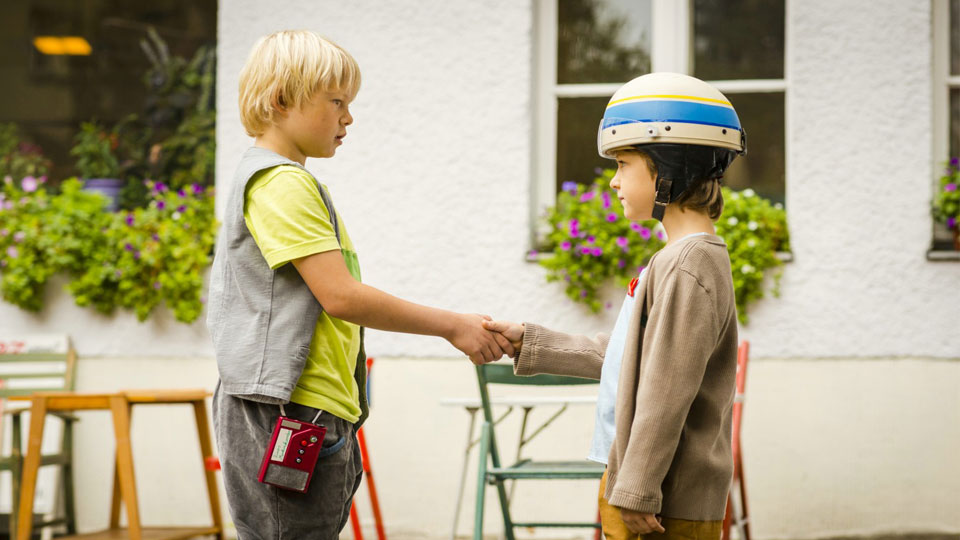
x=670, y=50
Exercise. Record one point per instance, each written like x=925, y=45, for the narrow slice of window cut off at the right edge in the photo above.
x=946, y=102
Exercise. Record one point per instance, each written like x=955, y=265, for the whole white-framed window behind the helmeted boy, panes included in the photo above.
x=586, y=49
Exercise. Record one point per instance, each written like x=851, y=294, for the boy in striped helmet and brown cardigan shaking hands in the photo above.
x=667, y=371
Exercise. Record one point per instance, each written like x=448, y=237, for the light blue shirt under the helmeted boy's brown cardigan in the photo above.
x=605, y=427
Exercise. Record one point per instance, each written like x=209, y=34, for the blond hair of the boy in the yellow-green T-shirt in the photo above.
x=285, y=70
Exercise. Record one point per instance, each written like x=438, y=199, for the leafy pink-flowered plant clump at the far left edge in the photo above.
x=42, y=233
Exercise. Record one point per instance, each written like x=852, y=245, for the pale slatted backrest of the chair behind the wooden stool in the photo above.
x=36, y=363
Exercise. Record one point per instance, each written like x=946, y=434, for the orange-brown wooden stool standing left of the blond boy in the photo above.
x=124, y=485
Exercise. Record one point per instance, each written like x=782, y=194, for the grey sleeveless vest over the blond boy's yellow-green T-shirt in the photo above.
x=262, y=320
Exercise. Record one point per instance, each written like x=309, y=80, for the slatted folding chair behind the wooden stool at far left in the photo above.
x=38, y=364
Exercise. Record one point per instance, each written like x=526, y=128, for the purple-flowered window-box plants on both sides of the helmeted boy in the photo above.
x=591, y=242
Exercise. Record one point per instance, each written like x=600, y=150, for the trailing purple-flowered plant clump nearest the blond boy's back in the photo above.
x=152, y=255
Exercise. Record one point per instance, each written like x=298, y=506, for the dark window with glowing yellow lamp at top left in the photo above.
x=47, y=93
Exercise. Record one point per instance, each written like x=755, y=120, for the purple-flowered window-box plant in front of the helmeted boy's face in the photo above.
x=592, y=241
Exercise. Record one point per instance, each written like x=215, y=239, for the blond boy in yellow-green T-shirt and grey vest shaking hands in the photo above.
x=287, y=308
